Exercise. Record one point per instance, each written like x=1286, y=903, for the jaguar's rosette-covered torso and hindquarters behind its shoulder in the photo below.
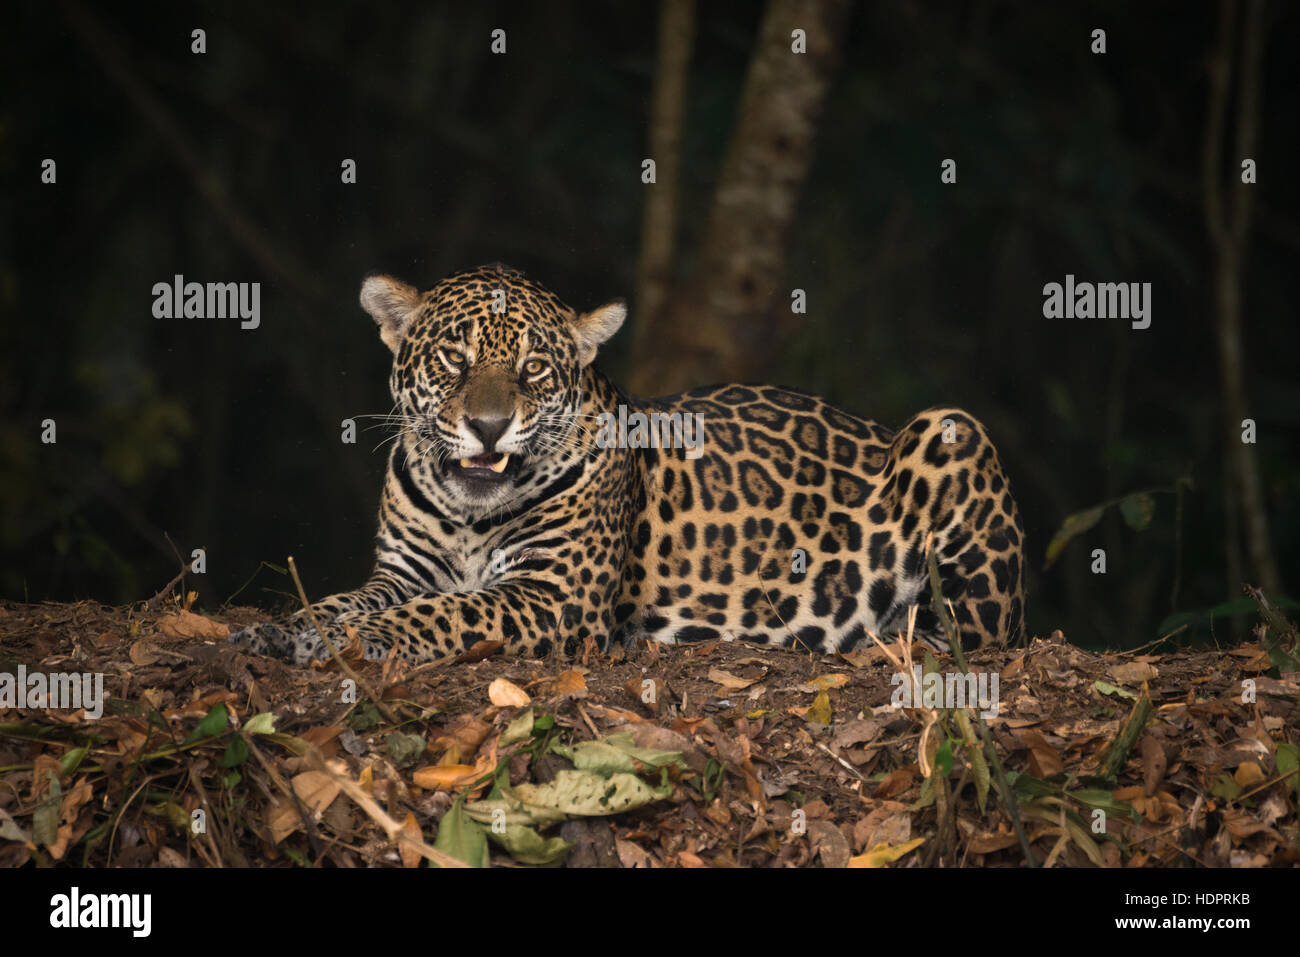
x=800, y=523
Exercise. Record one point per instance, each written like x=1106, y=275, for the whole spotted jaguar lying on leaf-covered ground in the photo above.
x=531, y=501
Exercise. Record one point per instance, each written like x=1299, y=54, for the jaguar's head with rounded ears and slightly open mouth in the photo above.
x=487, y=373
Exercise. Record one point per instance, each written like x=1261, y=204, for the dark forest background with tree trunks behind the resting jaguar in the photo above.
x=774, y=172
